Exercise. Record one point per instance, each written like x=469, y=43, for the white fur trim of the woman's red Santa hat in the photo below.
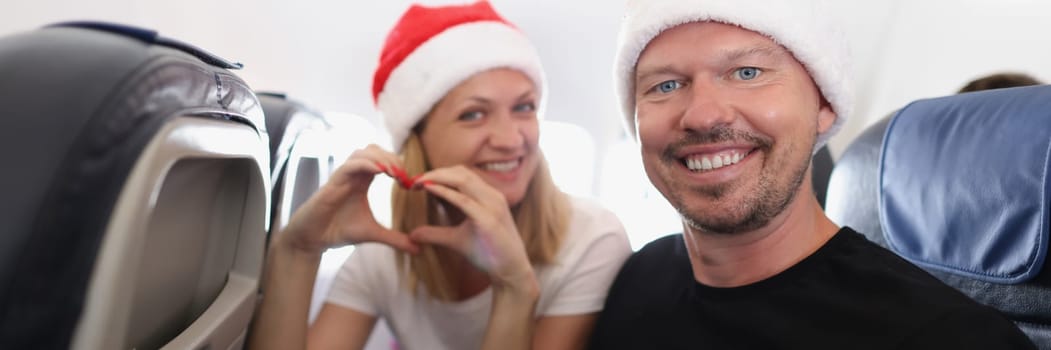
x=444, y=61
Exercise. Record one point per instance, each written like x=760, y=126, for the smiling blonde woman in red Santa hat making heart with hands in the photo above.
x=485, y=252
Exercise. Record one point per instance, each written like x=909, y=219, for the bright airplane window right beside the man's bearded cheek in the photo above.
x=626, y=190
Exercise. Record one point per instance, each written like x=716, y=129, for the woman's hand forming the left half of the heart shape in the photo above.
x=339, y=214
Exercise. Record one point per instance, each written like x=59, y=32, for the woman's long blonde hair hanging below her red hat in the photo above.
x=542, y=219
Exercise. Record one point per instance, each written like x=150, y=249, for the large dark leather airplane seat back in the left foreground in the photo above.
x=135, y=195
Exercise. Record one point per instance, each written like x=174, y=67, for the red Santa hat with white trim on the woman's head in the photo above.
x=432, y=50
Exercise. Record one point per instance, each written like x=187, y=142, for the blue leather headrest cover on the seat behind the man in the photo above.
x=965, y=183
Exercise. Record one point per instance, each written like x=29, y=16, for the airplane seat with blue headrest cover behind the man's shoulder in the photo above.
x=961, y=187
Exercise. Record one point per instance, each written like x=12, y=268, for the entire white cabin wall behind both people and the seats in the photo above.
x=324, y=52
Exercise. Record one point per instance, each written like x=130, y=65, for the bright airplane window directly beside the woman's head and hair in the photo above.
x=570, y=151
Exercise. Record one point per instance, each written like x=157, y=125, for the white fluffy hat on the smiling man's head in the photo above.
x=806, y=28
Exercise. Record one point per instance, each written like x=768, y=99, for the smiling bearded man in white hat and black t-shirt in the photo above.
x=729, y=100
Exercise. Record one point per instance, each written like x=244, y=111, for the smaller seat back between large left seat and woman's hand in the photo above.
x=300, y=153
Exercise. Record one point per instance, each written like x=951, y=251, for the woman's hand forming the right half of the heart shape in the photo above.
x=488, y=236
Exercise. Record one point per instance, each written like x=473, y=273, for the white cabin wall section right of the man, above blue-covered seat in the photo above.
x=906, y=51
